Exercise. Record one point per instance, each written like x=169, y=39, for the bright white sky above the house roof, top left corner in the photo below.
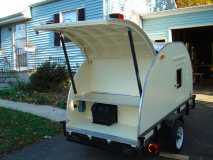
x=9, y=7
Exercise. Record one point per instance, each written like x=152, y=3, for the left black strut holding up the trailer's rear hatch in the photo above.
x=70, y=72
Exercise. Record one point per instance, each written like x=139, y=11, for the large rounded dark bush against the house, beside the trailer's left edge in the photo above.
x=49, y=77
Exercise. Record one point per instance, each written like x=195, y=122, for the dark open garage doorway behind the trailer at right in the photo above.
x=199, y=42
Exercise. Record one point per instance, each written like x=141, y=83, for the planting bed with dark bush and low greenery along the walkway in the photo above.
x=48, y=86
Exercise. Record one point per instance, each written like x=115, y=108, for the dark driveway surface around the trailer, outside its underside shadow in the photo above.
x=198, y=143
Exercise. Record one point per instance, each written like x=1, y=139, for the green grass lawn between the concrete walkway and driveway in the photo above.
x=18, y=129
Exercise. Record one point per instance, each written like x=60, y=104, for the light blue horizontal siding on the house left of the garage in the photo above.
x=44, y=42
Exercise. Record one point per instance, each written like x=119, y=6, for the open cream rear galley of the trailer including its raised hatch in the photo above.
x=105, y=97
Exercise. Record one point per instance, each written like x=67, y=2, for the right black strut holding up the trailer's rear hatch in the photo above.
x=134, y=57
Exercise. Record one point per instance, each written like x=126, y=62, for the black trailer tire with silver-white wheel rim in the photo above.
x=176, y=137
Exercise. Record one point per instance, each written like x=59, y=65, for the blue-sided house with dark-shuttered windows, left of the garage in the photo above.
x=22, y=49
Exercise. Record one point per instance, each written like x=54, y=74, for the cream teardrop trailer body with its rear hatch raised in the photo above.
x=108, y=76
